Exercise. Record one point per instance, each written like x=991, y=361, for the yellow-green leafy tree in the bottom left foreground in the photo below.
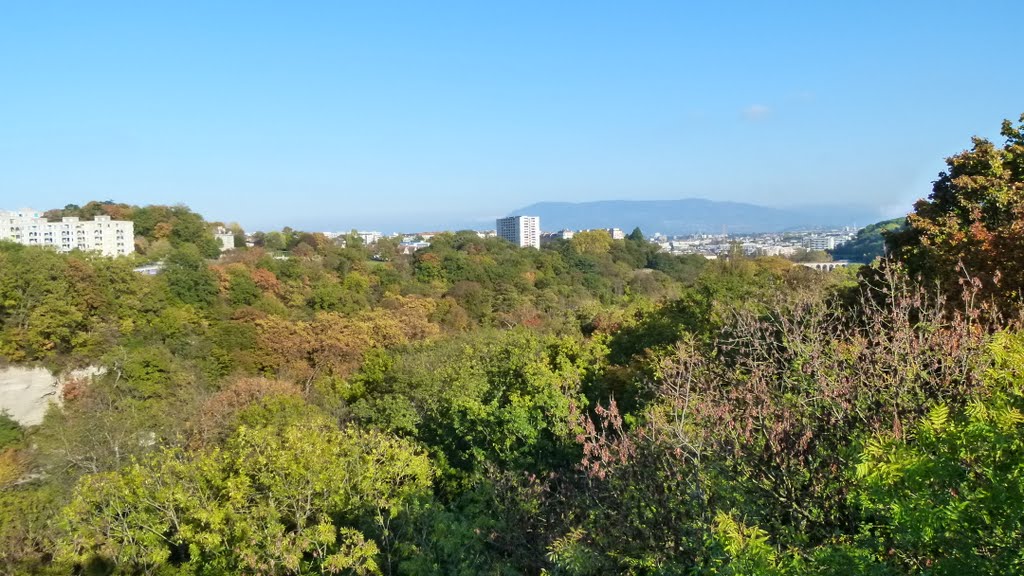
x=301, y=500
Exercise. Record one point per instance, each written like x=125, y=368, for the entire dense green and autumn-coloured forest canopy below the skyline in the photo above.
x=593, y=407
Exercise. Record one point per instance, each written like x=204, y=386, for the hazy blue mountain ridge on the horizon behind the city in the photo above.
x=692, y=217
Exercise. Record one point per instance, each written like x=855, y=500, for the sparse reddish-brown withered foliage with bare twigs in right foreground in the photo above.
x=781, y=397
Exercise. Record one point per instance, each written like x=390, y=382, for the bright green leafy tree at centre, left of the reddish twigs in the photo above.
x=495, y=398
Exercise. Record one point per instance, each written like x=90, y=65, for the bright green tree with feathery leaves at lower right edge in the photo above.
x=949, y=498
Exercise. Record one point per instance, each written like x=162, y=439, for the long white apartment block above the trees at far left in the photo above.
x=111, y=238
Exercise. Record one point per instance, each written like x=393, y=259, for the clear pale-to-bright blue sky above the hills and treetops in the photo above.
x=339, y=115
